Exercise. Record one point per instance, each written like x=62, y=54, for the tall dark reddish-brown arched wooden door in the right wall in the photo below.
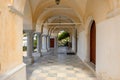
x=93, y=43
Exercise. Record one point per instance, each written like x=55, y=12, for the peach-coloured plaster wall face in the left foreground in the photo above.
x=11, y=29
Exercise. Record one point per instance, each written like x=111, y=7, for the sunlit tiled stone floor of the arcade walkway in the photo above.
x=56, y=65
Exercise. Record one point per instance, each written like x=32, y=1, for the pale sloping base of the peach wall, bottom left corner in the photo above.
x=15, y=74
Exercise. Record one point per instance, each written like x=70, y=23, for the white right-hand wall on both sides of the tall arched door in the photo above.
x=107, y=48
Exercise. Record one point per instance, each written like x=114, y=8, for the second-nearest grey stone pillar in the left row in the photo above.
x=39, y=43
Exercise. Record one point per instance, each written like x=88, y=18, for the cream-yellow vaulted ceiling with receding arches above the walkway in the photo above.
x=39, y=12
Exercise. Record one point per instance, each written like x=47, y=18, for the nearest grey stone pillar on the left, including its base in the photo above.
x=29, y=58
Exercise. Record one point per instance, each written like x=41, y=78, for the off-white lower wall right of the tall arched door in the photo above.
x=108, y=49
